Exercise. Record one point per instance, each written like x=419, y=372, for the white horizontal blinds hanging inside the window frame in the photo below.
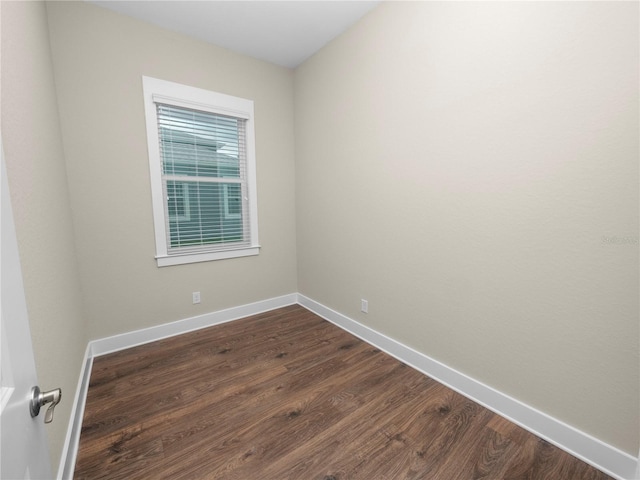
x=204, y=175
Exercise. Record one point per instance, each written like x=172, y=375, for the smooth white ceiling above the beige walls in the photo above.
x=282, y=32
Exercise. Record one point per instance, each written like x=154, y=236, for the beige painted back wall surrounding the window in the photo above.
x=99, y=60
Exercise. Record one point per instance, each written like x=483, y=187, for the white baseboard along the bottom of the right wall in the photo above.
x=604, y=457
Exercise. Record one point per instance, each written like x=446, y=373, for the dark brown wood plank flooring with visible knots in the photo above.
x=287, y=395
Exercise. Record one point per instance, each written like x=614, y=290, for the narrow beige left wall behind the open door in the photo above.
x=38, y=184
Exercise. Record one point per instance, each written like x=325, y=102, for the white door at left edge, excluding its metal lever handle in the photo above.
x=24, y=451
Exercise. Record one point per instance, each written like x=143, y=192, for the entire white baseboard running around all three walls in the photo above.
x=606, y=458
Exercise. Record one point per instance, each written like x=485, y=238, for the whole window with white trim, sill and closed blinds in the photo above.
x=202, y=167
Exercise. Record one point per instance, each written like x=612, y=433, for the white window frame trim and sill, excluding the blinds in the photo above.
x=163, y=91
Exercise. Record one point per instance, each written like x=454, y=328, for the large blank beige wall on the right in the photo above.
x=471, y=169
